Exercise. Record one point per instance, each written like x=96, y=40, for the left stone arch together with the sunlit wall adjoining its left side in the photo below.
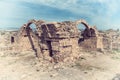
x=28, y=39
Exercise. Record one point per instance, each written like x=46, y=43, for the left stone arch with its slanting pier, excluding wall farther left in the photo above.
x=35, y=35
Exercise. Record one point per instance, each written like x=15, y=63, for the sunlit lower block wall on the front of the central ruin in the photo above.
x=65, y=49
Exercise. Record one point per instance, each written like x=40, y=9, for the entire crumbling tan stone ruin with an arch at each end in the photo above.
x=57, y=40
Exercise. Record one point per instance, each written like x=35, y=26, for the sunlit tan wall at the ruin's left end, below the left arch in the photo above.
x=25, y=41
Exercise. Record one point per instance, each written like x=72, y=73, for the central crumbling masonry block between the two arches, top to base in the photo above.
x=61, y=38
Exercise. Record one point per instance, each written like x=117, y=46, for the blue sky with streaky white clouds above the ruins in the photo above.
x=104, y=14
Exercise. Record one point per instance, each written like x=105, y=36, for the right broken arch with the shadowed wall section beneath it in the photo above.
x=90, y=38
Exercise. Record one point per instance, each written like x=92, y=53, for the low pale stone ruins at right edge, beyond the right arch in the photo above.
x=111, y=39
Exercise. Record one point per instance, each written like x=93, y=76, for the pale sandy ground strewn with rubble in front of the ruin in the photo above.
x=25, y=66
